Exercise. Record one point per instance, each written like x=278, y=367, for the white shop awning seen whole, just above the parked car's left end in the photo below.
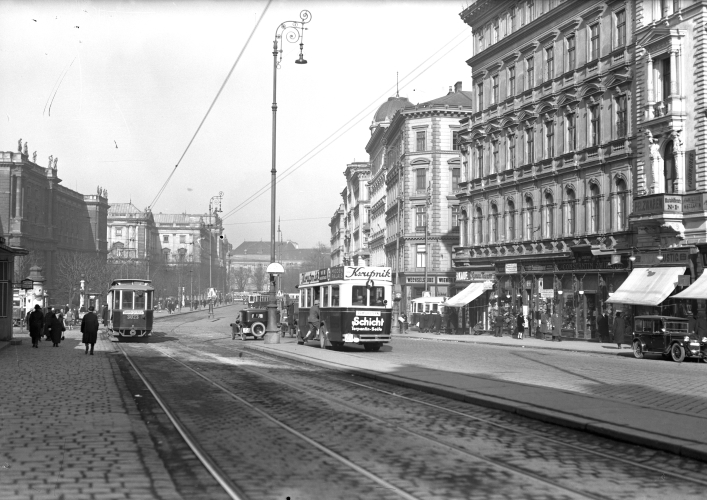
x=647, y=286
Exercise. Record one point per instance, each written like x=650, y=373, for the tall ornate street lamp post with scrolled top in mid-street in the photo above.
x=293, y=32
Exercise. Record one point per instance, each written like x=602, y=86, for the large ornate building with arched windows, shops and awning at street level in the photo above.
x=548, y=159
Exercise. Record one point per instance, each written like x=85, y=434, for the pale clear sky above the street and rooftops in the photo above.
x=116, y=91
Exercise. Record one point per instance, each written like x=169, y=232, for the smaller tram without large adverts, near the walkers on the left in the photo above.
x=130, y=304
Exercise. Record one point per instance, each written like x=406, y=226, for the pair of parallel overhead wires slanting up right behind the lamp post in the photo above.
x=348, y=125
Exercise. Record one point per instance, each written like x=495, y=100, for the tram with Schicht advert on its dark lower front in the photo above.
x=355, y=305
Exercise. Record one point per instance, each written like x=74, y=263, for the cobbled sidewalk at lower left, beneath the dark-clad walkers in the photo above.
x=70, y=429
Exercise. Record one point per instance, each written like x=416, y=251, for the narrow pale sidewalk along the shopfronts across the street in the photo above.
x=527, y=342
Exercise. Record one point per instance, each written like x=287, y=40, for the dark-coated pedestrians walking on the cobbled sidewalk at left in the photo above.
x=52, y=326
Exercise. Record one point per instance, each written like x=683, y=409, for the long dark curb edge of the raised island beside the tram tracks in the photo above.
x=598, y=427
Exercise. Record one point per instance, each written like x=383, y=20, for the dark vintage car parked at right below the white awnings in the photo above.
x=667, y=335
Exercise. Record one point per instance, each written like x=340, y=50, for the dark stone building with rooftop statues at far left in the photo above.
x=46, y=218
